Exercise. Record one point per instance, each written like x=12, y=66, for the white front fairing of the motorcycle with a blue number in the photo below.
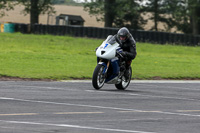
x=107, y=50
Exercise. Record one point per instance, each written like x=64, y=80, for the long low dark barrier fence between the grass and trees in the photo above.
x=102, y=33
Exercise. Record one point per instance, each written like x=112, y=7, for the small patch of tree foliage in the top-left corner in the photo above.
x=5, y=5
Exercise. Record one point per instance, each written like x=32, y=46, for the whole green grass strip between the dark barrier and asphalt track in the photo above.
x=63, y=57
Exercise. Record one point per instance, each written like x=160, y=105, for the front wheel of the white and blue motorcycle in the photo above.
x=99, y=77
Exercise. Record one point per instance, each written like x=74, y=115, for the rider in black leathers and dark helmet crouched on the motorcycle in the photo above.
x=128, y=45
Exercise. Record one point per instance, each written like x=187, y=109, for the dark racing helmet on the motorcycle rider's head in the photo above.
x=123, y=34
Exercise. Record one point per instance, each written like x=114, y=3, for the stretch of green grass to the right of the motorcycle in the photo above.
x=167, y=61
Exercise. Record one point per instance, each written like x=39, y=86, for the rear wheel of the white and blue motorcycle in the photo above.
x=125, y=82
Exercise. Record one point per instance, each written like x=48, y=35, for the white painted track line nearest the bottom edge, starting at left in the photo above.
x=75, y=126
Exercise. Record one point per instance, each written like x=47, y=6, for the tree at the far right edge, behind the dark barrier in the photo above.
x=185, y=16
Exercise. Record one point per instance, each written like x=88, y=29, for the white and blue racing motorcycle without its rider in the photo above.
x=111, y=67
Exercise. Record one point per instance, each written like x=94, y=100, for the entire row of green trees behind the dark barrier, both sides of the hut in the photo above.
x=184, y=15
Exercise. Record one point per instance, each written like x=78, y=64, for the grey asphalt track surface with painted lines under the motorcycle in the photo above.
x=75, y=107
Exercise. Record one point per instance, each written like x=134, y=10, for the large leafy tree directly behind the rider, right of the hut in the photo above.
x=116, y=13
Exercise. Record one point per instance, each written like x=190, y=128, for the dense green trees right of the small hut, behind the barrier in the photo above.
x=184, y=15
